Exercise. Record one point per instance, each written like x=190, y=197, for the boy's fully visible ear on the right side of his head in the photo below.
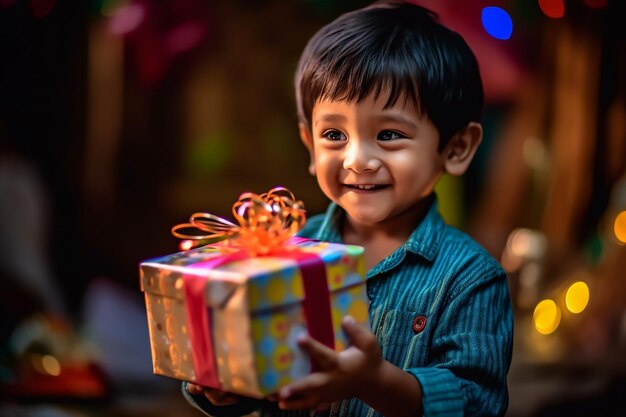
x=460, y=151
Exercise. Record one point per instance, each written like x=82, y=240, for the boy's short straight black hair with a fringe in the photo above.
x=397, y=48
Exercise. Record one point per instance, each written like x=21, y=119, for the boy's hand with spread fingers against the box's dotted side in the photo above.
x=341, y=375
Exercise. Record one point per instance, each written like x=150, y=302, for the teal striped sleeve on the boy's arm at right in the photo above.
x=470, y=352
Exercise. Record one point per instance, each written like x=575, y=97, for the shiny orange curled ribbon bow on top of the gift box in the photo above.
x=266, y=222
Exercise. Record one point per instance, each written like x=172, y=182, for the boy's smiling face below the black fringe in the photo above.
x=376, y=163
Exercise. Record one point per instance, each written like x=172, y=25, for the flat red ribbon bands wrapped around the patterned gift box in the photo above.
x=316, y=305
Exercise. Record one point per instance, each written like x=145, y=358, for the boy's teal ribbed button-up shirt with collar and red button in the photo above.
x=441, y=310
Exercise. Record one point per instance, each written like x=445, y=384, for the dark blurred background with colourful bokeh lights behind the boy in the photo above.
x=119, y=118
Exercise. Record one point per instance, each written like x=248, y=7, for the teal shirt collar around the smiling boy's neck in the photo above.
x=423, y=241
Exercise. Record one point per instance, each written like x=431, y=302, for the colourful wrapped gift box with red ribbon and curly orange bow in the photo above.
x=228, y=315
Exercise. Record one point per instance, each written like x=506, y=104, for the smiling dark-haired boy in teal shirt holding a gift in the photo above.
x=388, y=101
